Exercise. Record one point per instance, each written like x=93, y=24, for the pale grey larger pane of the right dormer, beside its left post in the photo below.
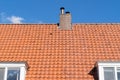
x=109, y=73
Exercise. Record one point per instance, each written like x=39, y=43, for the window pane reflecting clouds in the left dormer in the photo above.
x=13, y=74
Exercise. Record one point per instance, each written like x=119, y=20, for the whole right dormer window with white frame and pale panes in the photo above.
x=109, y=70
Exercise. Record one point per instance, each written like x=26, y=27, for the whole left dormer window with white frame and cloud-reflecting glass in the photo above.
x=12, y=71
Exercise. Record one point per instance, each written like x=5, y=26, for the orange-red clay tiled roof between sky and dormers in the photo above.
x=54, y=54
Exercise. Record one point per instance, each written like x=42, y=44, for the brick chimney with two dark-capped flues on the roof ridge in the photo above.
x=65, y=20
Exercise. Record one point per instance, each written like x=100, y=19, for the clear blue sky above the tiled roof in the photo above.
x=47, y=11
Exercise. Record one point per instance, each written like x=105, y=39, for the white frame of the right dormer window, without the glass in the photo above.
x=101, y=65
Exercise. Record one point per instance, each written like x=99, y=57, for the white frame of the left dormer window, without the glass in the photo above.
x=21, y=65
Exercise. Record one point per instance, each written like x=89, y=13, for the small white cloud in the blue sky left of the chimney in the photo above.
x=15, y=19
